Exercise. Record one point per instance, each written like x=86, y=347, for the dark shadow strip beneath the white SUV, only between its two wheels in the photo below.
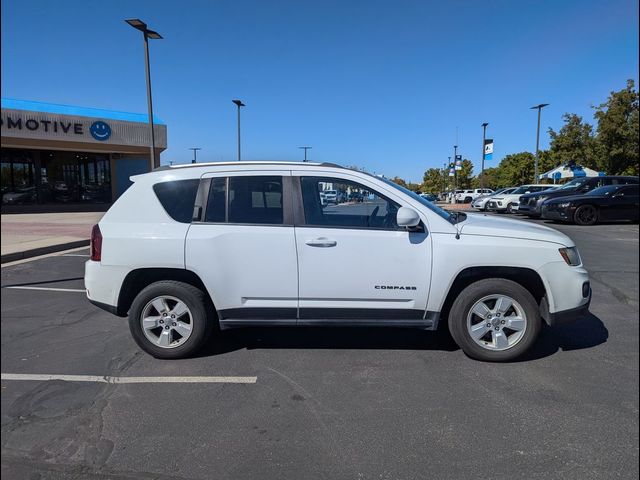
x=343, y=338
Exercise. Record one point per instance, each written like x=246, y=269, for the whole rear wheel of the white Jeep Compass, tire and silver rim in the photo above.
x=170, y=319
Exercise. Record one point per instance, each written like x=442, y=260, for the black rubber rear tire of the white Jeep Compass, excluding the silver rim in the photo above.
x=203, y=318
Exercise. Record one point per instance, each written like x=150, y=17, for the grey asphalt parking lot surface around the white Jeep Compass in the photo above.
x=319, y=403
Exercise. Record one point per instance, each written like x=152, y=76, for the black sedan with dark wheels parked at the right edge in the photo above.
x=609, y=203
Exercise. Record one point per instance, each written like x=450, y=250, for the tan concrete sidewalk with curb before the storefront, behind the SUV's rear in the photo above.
x=32, y=234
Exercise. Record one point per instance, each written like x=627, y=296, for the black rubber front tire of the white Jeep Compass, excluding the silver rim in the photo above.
x=478, y=290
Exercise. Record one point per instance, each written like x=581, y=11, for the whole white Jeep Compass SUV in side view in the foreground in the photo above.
x=188, y=249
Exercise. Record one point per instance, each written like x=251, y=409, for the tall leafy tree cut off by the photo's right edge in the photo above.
x=618, y=131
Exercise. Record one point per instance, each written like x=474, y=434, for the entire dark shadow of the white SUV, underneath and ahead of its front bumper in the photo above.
x=585, y=333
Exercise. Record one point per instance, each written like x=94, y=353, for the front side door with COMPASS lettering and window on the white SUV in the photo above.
x=356, y=263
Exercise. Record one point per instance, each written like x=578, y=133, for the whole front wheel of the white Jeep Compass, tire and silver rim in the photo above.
x=494, y=320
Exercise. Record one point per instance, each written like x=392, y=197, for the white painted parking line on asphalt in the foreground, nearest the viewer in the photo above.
x=109, y=379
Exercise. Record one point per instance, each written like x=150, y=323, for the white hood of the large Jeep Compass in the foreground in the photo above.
x=492, y=226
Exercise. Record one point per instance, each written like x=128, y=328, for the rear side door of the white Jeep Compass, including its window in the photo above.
x=244, y=253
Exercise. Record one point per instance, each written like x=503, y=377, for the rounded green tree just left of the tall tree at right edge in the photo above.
x=575, y=142
